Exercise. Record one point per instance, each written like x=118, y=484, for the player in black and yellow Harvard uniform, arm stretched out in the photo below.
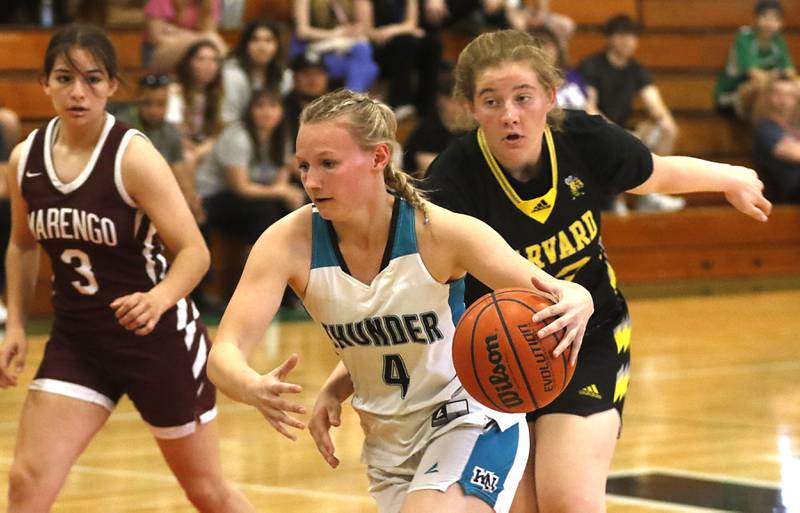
x=539, y=176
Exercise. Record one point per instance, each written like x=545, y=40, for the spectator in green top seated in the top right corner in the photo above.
x=758, y=54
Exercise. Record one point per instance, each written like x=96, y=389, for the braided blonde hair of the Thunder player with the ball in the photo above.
x=370, y=123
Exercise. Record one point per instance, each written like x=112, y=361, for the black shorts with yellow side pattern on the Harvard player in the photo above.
x=601, y=376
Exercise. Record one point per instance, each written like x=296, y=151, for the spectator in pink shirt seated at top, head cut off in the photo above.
x=172, y=26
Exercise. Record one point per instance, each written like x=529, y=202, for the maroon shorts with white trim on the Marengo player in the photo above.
x=163, y=373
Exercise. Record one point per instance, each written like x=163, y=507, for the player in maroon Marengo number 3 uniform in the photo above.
x=100, y=201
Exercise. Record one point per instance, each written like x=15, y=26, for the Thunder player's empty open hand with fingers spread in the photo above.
x=265, y=395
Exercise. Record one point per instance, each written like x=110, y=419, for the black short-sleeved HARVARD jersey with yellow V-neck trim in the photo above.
x=553, y=220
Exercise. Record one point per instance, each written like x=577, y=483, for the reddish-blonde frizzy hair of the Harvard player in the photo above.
x=493, y=49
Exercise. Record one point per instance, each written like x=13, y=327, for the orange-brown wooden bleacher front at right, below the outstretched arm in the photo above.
x=702, y=243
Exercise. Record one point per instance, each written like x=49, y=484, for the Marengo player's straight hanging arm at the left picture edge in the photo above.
x=22, y=268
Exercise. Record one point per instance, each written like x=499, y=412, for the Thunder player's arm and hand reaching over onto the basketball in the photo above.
x=470, y=245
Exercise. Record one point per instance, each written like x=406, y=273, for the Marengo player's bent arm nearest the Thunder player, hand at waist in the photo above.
x=150, y=183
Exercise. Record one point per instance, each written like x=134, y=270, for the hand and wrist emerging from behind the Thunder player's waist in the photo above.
x=327, y=411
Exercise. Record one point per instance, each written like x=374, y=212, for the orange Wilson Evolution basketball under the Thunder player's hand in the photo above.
x=500, y=360
